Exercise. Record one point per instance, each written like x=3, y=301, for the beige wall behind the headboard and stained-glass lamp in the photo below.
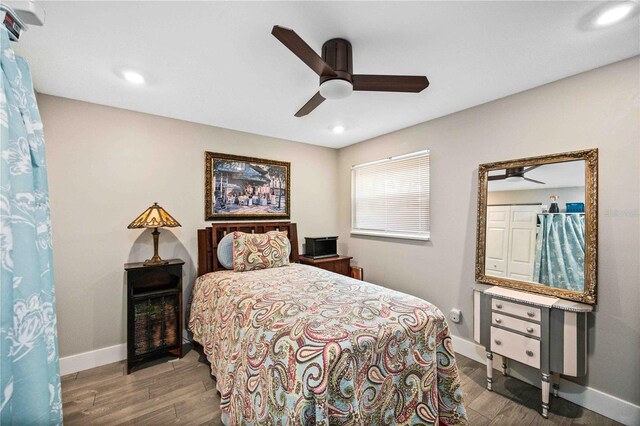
x=106, y=165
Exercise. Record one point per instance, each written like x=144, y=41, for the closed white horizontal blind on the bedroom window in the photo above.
x=390, y=197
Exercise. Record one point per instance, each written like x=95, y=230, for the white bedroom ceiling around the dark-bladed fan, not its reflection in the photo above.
x=217, y=63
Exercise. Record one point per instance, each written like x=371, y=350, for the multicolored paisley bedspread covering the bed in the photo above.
x=298, y=345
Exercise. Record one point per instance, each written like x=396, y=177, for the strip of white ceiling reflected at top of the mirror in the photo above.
x=555, y=175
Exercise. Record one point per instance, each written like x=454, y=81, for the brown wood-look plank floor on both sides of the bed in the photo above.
x=182, y=392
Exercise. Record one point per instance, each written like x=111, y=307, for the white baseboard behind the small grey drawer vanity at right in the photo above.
x=610, y=406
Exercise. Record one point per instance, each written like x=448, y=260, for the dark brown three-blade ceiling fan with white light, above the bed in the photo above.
x=335, y=69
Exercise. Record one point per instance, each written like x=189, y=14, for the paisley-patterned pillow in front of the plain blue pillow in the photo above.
x=260, y=251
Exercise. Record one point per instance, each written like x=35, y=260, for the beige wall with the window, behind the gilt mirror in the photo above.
x=597, y=109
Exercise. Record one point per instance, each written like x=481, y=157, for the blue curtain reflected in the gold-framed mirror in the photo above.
x=560, y=251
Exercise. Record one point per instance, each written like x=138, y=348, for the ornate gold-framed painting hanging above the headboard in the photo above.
x=246, y=188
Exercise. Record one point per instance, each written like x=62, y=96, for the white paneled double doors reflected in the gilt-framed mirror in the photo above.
x=511, y=241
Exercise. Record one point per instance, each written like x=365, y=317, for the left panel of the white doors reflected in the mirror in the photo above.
x=497, y=240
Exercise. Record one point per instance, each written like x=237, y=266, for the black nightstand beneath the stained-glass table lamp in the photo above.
x=154, y=311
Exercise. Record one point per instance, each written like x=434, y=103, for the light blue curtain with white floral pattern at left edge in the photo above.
x=29, y=373
